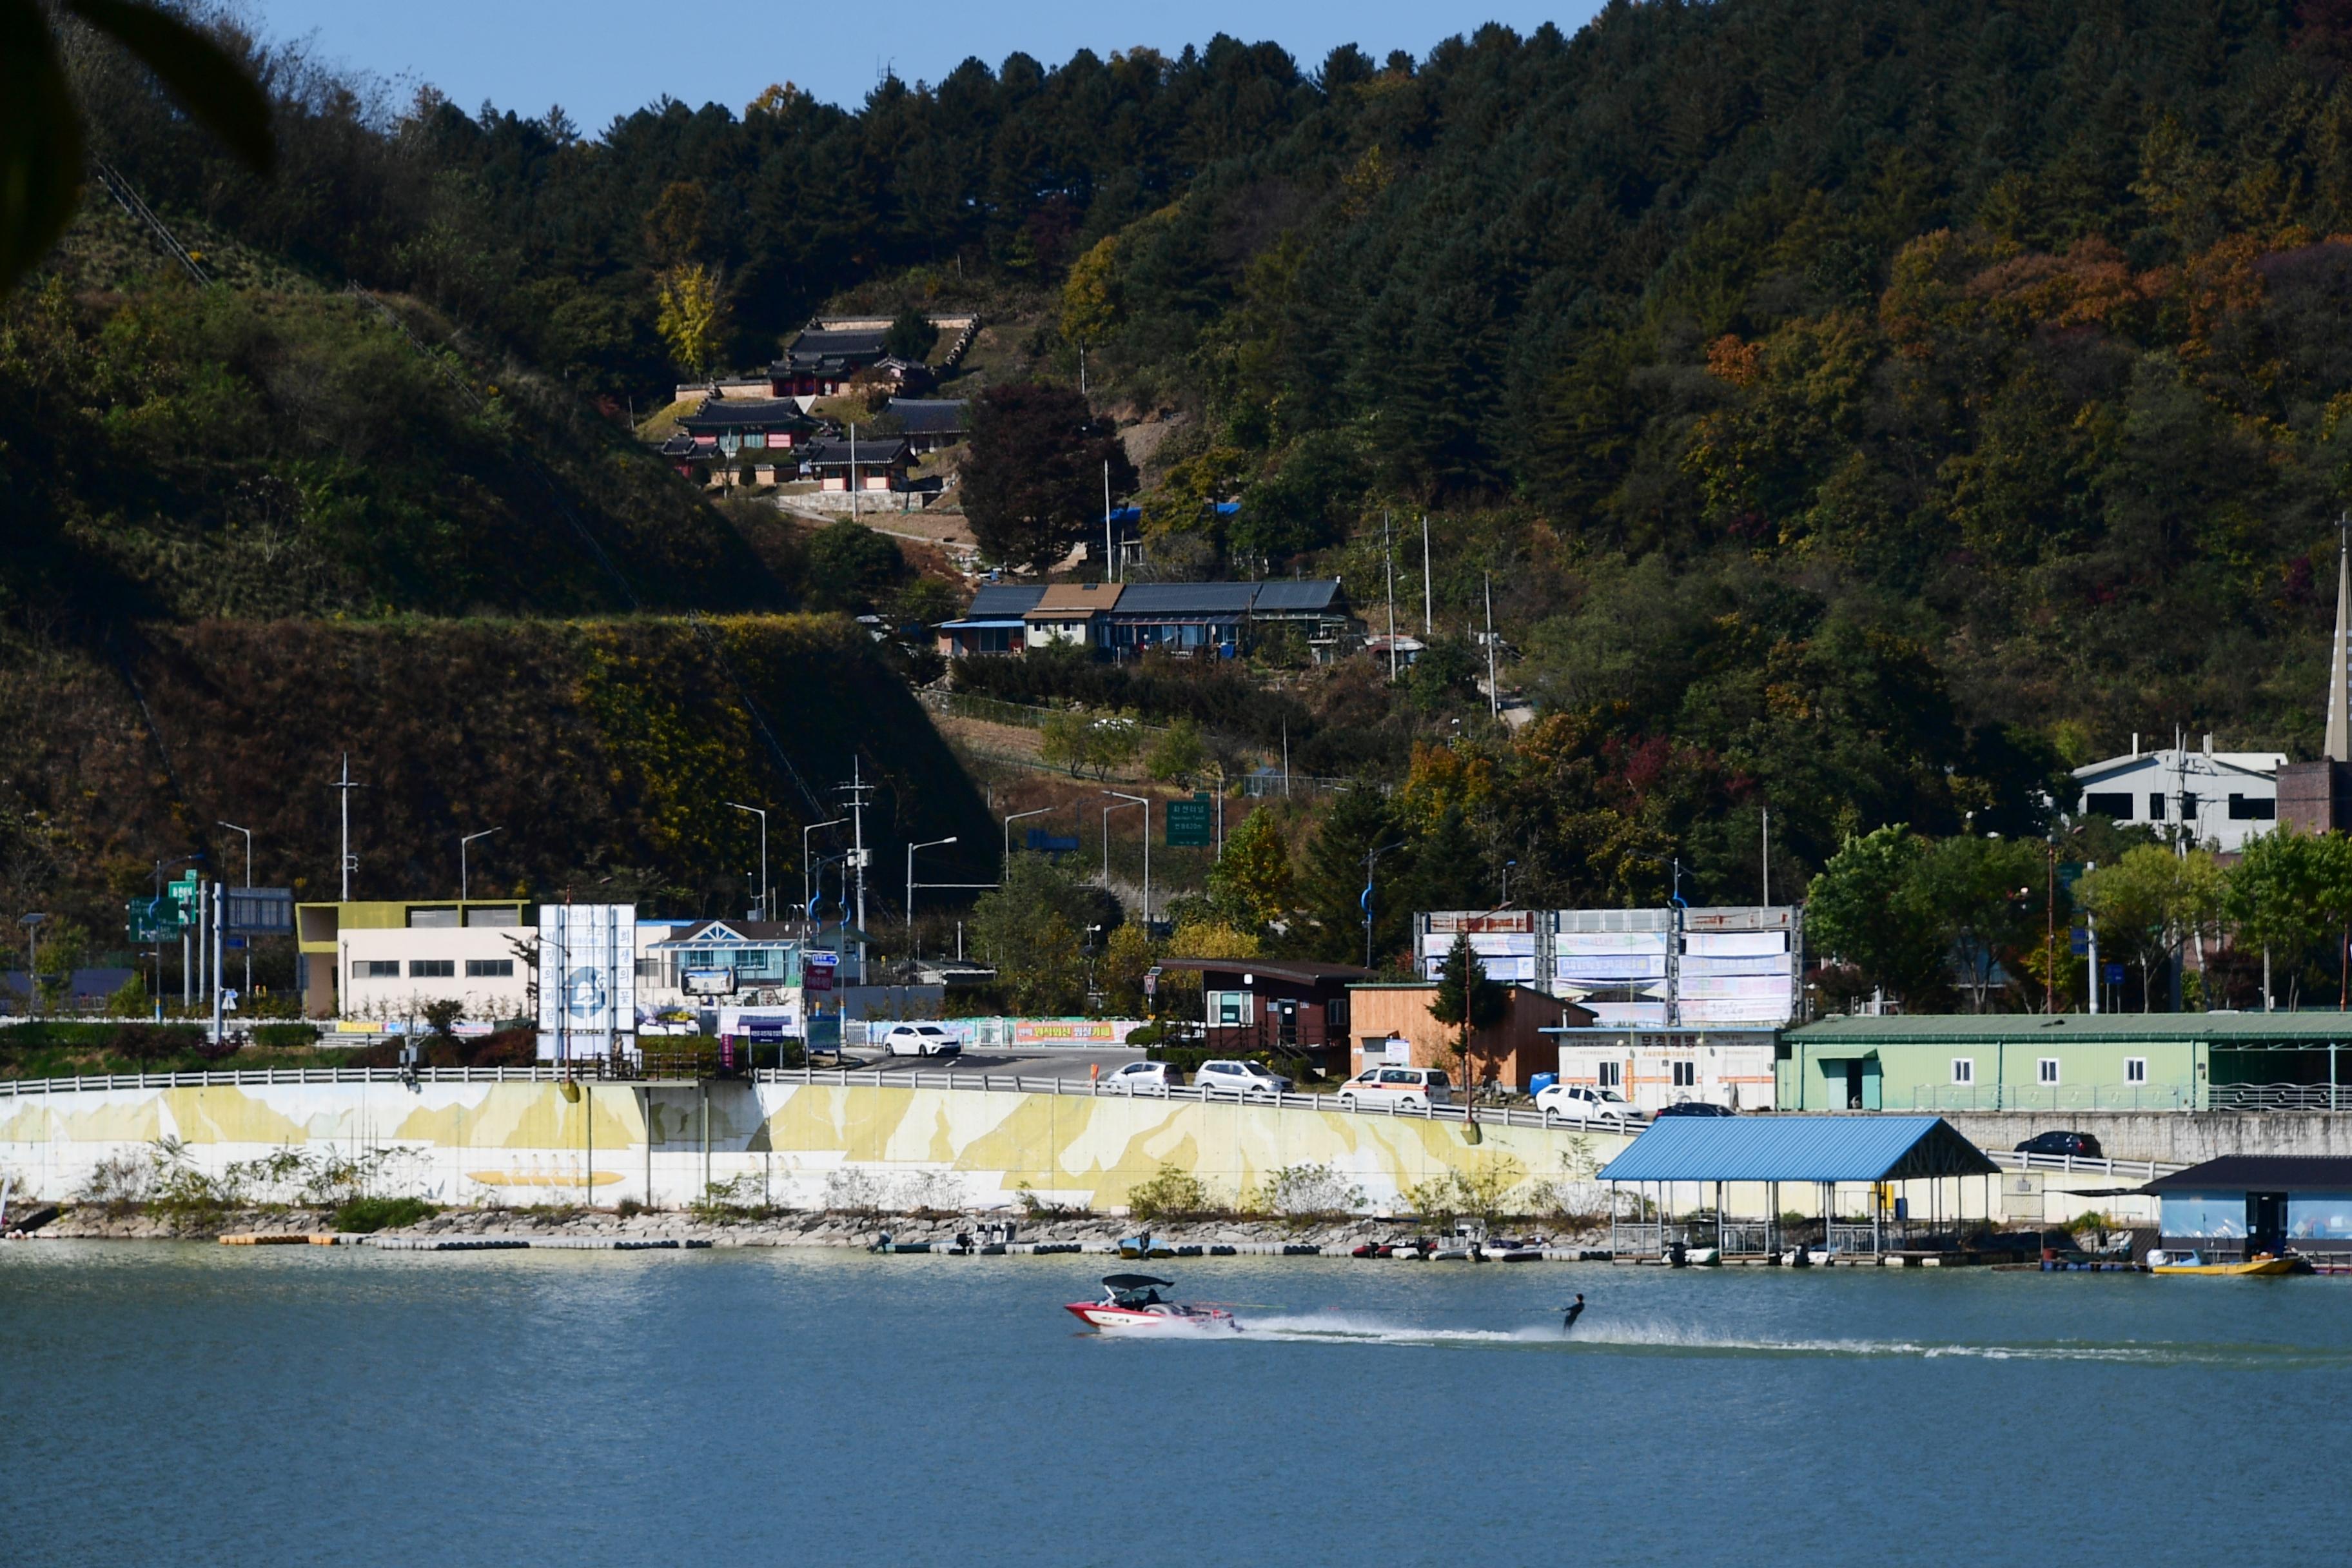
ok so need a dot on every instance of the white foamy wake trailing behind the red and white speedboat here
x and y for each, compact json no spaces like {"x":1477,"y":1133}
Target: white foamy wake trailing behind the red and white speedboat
{"x":1685,"y":1341}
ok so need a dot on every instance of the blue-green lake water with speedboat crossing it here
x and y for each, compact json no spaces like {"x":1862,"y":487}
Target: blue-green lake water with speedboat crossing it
{"x":201,"y":1405}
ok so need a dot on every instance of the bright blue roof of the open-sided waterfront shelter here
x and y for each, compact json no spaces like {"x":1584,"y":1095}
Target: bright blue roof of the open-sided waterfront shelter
{"x":1796,"y":1151}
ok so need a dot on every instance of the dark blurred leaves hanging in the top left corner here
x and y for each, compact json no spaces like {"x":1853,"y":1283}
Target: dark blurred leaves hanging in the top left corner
{"x":41,"y":130}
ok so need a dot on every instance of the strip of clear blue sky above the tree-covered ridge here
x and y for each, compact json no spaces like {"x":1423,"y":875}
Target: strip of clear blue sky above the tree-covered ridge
{"x":601,"y":58}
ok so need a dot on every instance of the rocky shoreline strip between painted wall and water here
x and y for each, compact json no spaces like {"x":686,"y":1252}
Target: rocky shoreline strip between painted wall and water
{"x":796,"y":1228}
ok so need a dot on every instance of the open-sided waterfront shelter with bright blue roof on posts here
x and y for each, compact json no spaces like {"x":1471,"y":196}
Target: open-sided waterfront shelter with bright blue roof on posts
{"x":1833,"y":1155}
